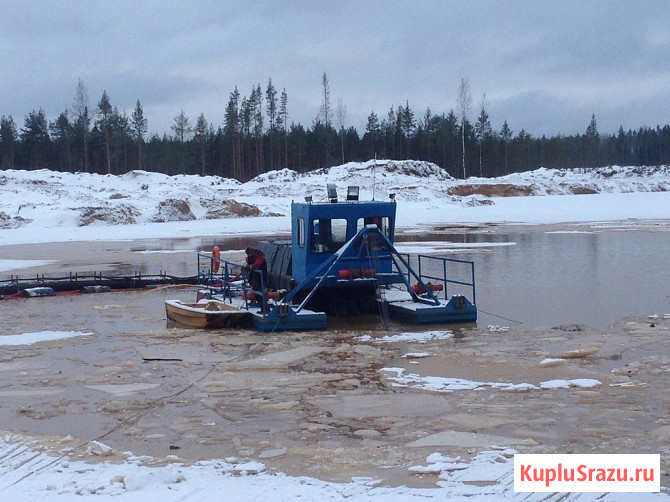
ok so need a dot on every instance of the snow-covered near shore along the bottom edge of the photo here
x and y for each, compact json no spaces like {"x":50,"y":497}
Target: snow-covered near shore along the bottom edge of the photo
{"x":27,"y":474}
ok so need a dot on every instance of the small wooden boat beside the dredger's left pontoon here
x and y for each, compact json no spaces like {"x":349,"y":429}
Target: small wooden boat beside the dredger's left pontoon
{"x":209,"y":314}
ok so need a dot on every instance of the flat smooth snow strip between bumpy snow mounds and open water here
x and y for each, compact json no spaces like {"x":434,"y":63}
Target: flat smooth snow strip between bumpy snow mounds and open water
{"x":649,"y":209}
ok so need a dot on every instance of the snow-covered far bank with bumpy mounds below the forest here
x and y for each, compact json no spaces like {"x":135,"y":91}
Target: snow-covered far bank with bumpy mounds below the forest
{"x":47,"y":206}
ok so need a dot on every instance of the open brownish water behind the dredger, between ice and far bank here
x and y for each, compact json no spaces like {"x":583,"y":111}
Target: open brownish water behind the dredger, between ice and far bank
{"x":530,"y":276}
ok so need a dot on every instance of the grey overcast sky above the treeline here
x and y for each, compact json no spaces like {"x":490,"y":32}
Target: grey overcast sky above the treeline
{"x":544,"y":66}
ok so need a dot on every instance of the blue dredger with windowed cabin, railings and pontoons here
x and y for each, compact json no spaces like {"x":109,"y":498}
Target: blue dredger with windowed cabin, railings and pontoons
{"x":340,"y":261}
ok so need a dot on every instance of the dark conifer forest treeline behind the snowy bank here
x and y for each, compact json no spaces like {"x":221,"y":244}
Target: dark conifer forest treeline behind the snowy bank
{"x":256,"y":135}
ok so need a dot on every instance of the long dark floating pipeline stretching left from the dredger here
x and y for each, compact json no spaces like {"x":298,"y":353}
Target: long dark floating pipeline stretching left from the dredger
{"x":17,"y":287}
